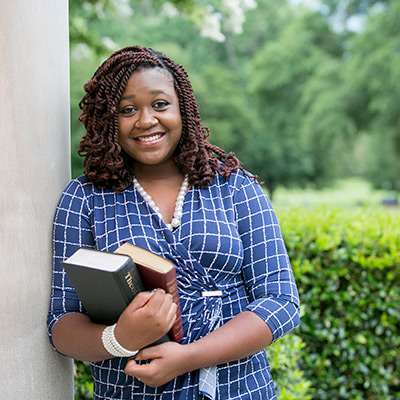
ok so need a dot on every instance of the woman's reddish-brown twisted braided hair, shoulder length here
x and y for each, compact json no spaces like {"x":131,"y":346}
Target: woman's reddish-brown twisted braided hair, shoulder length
{"x":105,"y":163}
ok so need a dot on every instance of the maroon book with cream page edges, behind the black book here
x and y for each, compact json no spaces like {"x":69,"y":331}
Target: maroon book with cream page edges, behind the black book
{"x":156,"y":272}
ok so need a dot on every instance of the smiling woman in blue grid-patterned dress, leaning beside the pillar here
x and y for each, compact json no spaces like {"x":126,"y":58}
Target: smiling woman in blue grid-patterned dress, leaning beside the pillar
{"x":152,"y":178}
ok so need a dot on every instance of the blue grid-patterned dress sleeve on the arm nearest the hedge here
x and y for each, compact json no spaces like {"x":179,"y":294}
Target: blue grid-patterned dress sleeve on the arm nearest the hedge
{"x":266,"y":267}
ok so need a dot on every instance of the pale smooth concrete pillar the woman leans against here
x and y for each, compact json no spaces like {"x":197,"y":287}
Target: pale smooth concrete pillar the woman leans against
{"x":34,"y":168}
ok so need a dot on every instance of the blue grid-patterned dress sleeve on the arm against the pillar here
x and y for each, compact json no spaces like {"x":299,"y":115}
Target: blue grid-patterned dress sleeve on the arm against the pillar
{"x":71,"y":230}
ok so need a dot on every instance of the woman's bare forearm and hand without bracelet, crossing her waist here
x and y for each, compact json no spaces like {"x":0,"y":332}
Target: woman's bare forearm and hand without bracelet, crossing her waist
{"x":242,"y":336}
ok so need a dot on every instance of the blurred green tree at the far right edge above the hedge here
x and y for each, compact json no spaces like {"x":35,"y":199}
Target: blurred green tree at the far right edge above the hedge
{"x":373,"y":80}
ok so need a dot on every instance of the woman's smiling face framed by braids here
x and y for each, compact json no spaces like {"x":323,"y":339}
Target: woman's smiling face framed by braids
{"x":150,"y":124}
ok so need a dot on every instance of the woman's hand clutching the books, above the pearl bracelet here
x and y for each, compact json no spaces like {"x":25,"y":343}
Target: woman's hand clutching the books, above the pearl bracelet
{"x":147,"y":318}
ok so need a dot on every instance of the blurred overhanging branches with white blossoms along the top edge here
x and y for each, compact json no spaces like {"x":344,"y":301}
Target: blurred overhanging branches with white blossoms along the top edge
{"x":211,"y":17}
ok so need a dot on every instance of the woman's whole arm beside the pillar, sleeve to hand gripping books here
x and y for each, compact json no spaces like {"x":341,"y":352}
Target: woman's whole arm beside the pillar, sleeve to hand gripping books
{"x":71,"y":332}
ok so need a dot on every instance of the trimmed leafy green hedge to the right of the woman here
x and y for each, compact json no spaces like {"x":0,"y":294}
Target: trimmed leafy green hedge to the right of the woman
{"x":347,"y":268}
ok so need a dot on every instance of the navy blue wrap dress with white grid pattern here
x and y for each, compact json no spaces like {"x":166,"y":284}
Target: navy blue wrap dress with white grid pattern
{"x":229,"y":240}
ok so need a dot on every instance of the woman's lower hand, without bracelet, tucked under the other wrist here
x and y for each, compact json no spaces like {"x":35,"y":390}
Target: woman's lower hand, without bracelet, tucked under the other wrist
{"x":166,"y":361}
